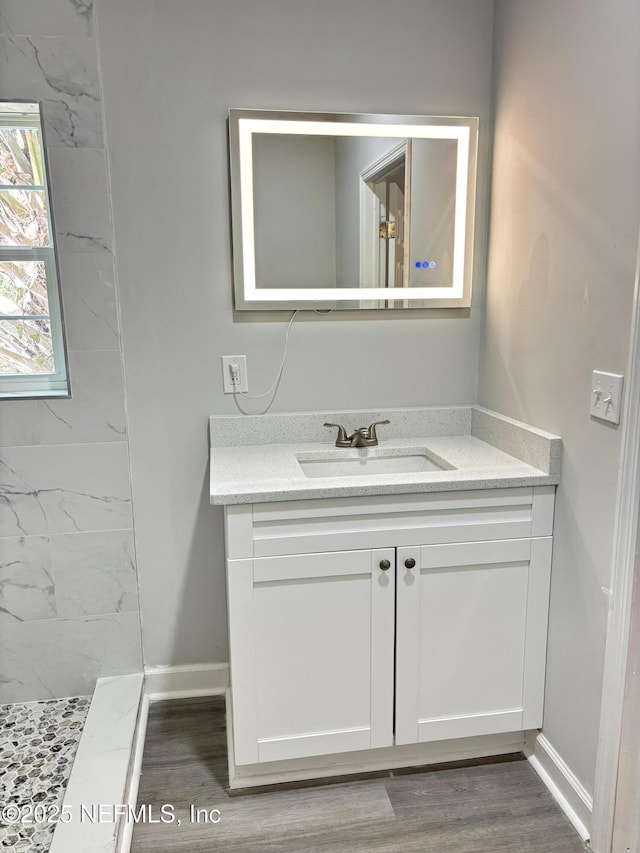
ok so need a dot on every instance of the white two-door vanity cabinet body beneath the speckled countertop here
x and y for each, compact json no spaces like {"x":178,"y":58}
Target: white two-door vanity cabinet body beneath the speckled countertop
{"x":367,"y":622}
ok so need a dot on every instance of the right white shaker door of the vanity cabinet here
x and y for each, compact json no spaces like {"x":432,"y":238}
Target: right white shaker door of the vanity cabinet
{"x":471,"y":638}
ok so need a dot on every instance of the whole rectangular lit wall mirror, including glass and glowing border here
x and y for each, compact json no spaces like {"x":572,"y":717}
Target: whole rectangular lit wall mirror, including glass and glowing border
{"x":351,"y":211}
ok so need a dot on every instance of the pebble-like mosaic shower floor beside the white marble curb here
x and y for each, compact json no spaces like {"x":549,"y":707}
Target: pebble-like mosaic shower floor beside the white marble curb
{"x":38,"y":743}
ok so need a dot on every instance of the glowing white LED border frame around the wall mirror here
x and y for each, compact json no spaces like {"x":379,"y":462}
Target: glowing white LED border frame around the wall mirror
{"x":243,"y":123}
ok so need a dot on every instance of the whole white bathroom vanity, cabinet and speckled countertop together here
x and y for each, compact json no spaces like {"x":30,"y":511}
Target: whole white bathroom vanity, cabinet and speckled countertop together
{"x":371,"y":611}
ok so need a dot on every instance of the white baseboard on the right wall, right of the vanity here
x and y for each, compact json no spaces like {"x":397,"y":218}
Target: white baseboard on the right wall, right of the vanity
{"x":562,"y":783}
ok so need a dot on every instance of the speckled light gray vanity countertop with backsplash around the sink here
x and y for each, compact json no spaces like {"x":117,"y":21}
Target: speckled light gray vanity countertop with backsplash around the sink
{"x":252,"y":462}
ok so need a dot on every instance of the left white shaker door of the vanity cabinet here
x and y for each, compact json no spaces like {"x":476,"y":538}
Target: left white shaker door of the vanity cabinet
{"x":311,"y":653}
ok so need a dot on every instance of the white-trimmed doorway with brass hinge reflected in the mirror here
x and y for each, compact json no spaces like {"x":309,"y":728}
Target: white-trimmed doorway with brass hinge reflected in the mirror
{"x":385,"y":199}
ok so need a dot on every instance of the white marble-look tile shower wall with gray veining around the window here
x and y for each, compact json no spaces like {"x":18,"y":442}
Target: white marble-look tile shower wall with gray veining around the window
{"x":68,"y":585}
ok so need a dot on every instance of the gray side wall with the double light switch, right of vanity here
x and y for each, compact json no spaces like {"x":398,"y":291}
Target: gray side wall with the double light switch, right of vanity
{"x":564,"y":230}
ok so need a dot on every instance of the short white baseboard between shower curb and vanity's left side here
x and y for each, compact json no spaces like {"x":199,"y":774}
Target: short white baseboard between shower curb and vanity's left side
{"x":185,"y":682}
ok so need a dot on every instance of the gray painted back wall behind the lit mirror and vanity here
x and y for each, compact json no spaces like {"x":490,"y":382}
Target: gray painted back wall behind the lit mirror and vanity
{"x":170,"y":72}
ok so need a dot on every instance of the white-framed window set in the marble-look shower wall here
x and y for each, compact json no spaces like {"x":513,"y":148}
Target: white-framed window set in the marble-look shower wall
{"x":32,"y":351}
